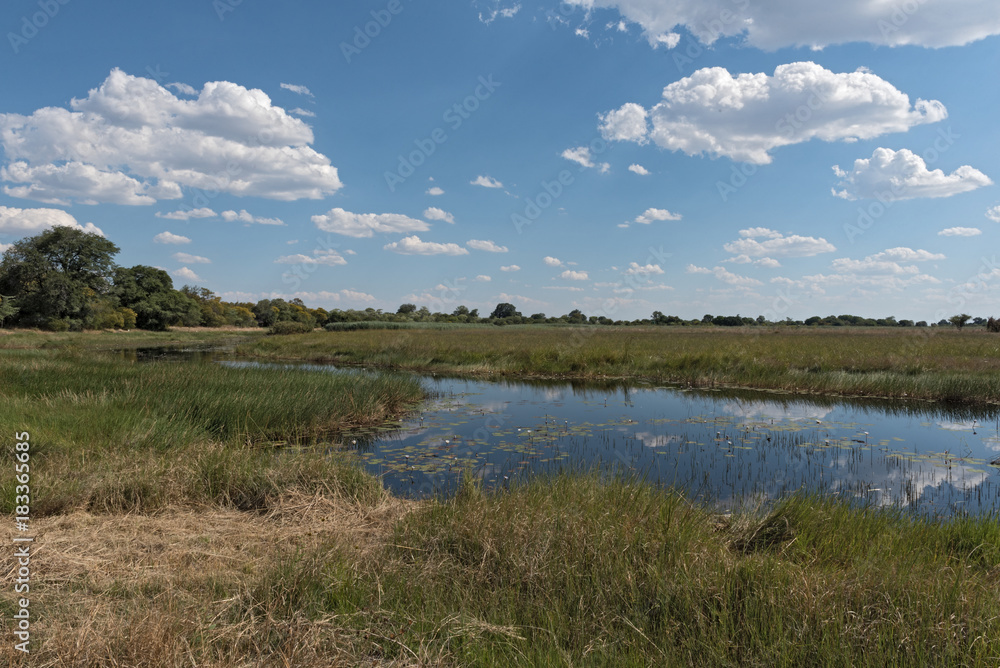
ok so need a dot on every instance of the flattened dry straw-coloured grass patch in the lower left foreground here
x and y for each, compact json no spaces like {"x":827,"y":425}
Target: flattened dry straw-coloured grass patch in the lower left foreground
{"x":172,"y":589}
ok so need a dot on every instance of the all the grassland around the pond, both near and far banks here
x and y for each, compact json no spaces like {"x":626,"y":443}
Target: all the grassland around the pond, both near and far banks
{"x":183,"y":516}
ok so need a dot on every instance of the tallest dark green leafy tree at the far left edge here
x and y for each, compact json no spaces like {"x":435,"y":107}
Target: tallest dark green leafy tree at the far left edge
{"x":56,"y":275}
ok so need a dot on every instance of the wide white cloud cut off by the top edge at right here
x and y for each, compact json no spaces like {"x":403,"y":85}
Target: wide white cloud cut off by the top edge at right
{"x":786,"y":23}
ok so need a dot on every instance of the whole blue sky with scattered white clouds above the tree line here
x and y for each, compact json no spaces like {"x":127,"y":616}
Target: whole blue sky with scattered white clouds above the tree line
{"x":617,"y":156}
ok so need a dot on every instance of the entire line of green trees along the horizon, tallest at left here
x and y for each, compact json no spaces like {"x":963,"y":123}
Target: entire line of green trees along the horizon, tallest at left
{"x":66,"y":279}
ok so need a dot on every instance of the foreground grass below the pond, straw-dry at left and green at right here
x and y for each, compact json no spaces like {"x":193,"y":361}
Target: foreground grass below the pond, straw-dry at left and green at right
{"x":569,"y":571}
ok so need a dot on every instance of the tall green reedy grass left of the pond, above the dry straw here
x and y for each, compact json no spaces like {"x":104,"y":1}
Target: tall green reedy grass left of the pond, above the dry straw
{"x":112,"y":435}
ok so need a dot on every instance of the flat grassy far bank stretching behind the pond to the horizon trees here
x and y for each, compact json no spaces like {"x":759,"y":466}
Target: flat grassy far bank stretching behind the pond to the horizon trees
{"x":921,"y":363}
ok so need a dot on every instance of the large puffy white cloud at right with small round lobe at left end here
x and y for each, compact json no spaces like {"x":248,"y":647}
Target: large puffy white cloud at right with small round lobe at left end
{"x":745,"y":117}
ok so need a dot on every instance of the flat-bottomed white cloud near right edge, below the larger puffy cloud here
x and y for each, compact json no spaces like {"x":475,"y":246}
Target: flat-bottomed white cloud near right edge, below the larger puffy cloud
{"x":897,"y":175}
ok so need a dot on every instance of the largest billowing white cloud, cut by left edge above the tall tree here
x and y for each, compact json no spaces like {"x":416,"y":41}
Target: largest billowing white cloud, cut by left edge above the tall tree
{"x":132,"y":141}
